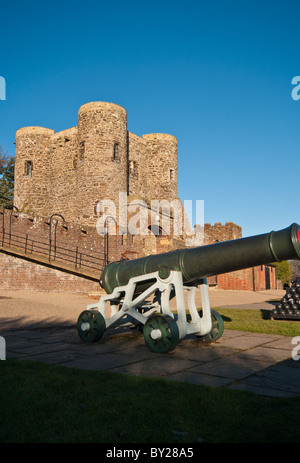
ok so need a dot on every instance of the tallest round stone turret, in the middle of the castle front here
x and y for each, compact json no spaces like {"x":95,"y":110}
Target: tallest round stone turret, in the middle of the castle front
{"x":102,"y":156}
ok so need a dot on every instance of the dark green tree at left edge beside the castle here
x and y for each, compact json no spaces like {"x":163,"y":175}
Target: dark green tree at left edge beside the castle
{"x":7,"y":166}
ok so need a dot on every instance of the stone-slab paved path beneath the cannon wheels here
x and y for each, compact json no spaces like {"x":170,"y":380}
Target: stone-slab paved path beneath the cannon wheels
{"x":249,"y":361}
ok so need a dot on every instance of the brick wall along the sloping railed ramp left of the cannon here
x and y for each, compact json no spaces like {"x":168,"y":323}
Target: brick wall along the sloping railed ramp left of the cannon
{"x":20,"y":273}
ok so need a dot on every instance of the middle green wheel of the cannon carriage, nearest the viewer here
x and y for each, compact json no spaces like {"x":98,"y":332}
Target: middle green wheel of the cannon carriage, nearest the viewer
{"x":161,"y":333}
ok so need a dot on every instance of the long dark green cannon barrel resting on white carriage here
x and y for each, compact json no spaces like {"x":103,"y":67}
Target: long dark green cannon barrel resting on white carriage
{"x":213,"y":259}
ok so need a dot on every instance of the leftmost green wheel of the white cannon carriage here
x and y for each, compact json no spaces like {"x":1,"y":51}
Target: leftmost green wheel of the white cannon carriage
{"x":90,"y":325}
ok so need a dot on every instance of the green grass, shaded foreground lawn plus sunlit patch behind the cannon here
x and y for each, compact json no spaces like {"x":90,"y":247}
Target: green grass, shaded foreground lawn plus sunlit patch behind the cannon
{"x":48,"y":403}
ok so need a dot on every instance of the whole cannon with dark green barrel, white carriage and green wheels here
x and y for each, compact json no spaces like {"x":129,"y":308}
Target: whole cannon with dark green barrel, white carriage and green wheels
{"x":139,"y":291}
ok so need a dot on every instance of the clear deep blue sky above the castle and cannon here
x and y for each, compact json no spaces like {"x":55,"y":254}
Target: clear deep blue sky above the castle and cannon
{"x":217,"y":75}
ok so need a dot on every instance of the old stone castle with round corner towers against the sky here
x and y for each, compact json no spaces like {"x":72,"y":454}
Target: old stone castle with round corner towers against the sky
{"x":70,"y":171}
